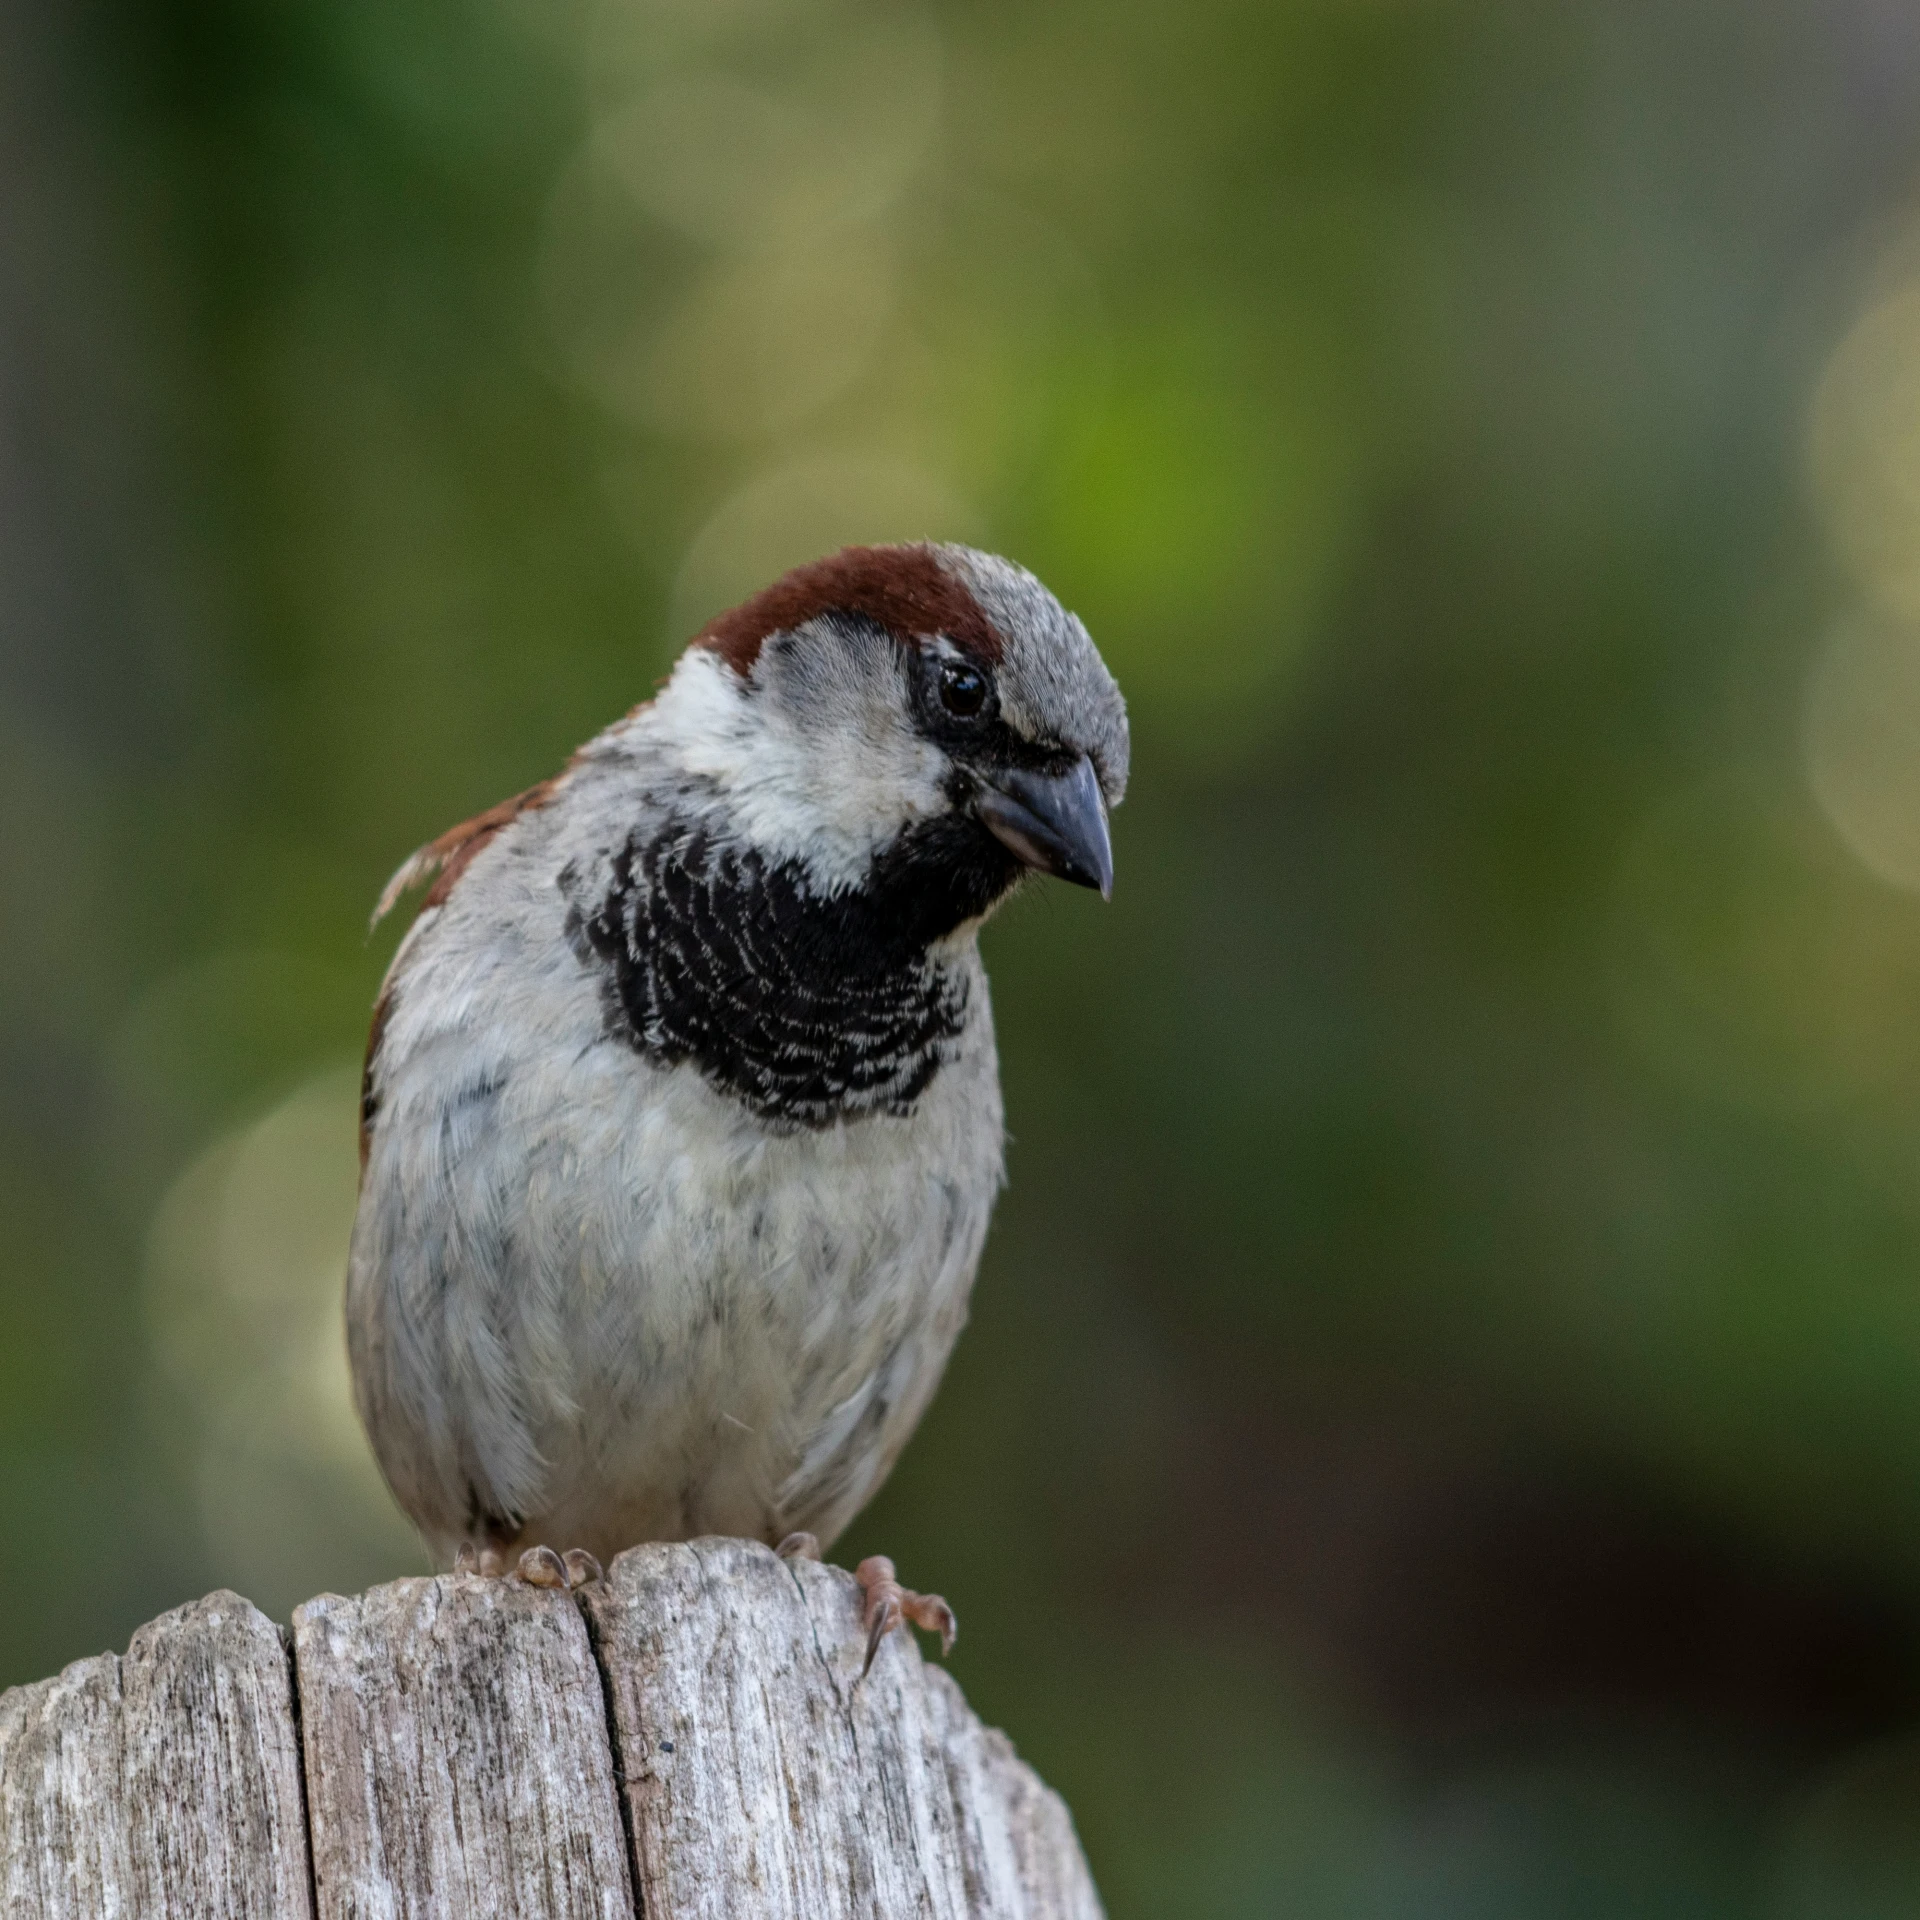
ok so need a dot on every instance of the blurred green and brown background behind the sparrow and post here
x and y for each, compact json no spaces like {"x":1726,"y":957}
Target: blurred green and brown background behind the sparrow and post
{"x":1441,"y":1426}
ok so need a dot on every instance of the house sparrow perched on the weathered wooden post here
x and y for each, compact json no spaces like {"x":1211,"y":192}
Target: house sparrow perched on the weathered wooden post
{"x":683,"y":1115}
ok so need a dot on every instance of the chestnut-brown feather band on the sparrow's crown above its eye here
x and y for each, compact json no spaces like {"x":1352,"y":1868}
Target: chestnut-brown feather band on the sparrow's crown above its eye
{"x":903,"y":588}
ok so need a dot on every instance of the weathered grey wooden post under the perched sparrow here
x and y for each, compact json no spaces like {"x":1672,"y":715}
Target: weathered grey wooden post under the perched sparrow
{"x":683,"y":1742}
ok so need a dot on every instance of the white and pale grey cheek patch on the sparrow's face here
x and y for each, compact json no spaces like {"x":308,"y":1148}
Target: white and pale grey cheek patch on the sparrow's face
{"x":819,"y":757}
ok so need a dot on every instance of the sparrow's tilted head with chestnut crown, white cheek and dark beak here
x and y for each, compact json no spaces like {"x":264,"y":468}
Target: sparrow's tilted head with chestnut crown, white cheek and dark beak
{"x":923,"y":709}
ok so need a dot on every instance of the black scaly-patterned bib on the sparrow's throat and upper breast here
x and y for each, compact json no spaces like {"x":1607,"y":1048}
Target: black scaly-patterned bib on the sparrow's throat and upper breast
{"x":807,"y":1007}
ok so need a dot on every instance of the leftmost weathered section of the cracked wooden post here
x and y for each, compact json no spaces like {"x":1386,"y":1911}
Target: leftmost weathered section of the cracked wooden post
{"x":158,"y":1785}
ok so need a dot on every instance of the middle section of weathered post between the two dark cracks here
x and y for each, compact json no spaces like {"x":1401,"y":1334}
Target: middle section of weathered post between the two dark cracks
{"x":458,"y":1756}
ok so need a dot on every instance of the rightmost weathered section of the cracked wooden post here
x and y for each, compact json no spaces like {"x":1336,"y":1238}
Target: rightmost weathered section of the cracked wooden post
{"x":765,"y":1785}
